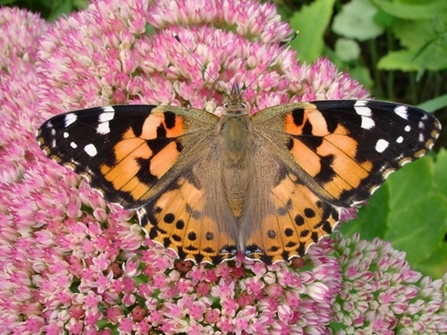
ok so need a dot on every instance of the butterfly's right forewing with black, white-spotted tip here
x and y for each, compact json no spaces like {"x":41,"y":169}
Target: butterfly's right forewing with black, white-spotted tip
{"x":344,"y":150}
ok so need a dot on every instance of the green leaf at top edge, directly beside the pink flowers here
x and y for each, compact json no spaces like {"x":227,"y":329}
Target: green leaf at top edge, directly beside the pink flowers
{"x":311,"y":22}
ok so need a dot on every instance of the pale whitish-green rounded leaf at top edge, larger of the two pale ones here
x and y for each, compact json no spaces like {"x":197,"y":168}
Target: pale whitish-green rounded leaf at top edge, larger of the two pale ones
{"x":356,"y":20}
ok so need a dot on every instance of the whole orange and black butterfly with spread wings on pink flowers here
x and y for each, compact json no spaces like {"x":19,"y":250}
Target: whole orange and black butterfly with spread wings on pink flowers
{"x":269,"y":185}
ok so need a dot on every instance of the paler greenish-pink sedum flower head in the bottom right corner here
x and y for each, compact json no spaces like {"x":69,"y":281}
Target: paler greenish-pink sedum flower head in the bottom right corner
{"x":380,"y":293}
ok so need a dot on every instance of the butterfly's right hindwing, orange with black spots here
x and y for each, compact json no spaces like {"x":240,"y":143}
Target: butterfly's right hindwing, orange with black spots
{"x":287,"y":217}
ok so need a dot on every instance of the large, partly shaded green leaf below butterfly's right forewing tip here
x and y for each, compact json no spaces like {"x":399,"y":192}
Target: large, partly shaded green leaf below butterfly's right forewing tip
{"x":410,"y":210}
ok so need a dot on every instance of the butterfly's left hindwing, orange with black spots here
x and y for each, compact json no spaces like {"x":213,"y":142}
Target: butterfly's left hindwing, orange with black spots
{"x":191,"y":216}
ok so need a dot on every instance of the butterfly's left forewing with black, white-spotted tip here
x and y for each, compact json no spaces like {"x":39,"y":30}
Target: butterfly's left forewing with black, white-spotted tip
{"x":129,"y":153}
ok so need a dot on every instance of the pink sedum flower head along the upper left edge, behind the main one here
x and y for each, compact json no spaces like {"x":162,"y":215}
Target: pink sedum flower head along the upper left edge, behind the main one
{"x":18,"y":89}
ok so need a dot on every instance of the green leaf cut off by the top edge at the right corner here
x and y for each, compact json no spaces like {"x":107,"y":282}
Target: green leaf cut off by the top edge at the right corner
{"x":424,"y":10}
